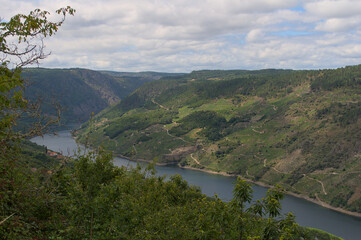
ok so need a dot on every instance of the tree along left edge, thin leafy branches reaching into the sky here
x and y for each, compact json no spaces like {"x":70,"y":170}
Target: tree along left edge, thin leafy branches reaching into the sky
{"x":21,"y":44}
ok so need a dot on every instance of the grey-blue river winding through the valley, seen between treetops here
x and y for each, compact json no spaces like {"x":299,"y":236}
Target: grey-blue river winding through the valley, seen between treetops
{"x":307,"y":214}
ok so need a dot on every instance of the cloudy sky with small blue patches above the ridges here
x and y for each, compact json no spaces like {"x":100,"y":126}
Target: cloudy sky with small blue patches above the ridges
{"x":187,"y":35}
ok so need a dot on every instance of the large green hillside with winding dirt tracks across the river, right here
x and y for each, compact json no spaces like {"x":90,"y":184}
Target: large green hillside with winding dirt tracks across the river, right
{"x":300,"y":129}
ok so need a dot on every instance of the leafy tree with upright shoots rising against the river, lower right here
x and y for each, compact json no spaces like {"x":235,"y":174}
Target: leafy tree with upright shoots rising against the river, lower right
{"x":262,"y":220}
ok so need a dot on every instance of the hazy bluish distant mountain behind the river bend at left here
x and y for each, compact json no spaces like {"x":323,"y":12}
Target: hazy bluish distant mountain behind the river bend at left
{"x":81,"y":92}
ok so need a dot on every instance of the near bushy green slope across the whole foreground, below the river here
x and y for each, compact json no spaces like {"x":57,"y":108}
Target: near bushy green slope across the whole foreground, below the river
{"x":44,"y":195}
